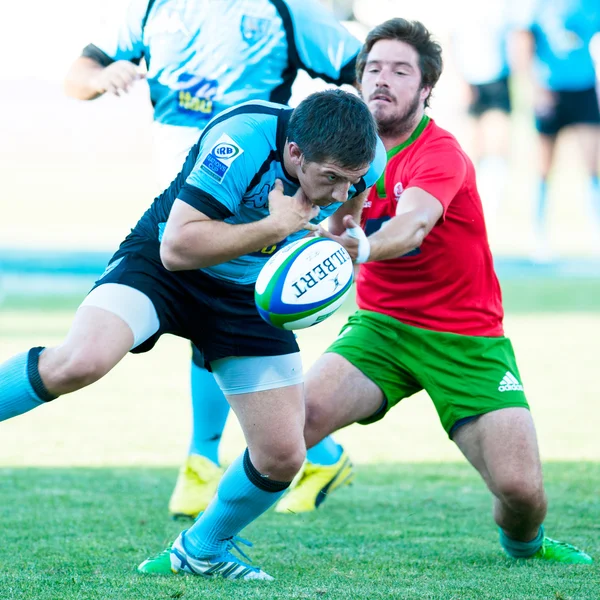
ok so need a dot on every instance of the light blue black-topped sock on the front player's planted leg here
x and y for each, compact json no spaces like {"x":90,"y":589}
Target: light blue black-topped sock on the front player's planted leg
{"x":239,"y":501}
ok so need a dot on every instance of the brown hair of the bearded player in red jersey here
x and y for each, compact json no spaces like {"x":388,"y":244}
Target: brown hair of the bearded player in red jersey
{"x":416,"y":35}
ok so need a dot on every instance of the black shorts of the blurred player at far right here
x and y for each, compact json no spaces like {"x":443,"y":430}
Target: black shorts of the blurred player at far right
{"x":570,"y":108}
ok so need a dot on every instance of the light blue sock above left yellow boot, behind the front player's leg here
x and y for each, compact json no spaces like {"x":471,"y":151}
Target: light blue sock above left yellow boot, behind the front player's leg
{"x":209,"y":414}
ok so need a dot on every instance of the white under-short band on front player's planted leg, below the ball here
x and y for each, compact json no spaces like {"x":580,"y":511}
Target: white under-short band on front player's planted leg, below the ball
{"x":246,"y":374}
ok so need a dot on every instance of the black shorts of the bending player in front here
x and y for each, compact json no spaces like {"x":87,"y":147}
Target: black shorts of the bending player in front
{"x":217,"y":316}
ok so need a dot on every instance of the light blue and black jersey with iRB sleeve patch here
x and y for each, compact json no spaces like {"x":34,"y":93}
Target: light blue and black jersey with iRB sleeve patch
{"x":228,"y":176}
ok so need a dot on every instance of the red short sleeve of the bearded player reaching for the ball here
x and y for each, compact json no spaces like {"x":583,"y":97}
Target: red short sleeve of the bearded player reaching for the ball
{"x":439,"y":169}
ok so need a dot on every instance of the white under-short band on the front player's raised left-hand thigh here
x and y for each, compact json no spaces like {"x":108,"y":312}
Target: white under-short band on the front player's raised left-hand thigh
{"x":131,"y":305}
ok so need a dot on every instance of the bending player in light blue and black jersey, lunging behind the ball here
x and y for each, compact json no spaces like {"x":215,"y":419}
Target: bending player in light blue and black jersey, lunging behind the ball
{"x":259,"y":176}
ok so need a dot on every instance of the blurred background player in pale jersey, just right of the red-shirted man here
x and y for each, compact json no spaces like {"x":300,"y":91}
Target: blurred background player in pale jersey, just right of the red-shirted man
{"x":480,"y":55}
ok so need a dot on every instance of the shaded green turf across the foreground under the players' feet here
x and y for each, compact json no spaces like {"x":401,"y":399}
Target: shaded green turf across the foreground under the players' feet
{"x":402,"y":531}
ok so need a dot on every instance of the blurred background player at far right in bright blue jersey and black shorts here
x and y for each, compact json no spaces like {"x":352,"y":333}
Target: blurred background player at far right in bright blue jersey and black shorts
{"x":553,"y":44}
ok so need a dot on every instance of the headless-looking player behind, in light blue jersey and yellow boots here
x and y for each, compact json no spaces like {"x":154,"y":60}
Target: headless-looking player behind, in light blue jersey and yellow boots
{"x":200,"y":59}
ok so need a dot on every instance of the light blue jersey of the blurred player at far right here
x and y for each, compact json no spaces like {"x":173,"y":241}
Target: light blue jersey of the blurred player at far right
{"x":563,"y":30}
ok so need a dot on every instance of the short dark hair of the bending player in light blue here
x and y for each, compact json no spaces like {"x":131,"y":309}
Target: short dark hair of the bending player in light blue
{"x":334,"y":126}
